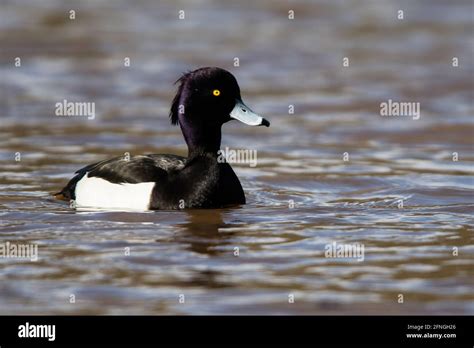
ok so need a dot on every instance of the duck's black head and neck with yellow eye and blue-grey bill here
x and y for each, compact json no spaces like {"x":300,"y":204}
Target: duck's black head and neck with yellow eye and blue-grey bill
{"x":206,"y":99}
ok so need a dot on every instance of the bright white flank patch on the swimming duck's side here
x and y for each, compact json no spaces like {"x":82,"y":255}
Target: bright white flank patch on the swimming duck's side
{"x":99,"y":193}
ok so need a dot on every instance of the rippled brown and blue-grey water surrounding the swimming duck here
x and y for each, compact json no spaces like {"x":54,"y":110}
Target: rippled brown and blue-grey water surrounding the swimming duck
{"x":408,"y":250}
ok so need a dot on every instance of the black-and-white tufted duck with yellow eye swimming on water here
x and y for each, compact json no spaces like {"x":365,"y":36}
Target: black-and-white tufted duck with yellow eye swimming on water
{"x":206,"y":99}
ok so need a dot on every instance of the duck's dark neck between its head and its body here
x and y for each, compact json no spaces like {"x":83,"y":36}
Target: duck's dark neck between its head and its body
{"x":202,"y":139}
